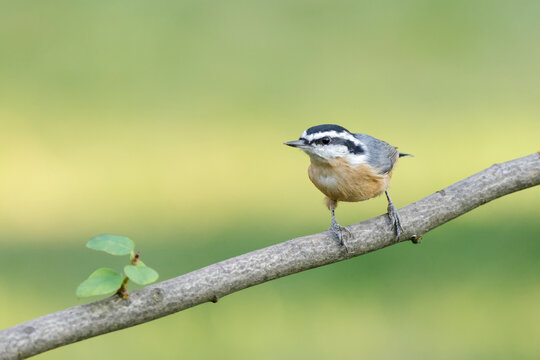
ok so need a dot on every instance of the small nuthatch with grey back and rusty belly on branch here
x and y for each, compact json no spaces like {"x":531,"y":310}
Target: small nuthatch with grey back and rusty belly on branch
{"x":349,"y":167}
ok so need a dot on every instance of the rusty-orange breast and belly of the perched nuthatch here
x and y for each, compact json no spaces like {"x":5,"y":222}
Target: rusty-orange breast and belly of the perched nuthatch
{"x":340,"y":181}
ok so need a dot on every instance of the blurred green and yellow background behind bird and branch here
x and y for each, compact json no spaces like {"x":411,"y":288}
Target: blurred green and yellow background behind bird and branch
{"x":164,"y":121}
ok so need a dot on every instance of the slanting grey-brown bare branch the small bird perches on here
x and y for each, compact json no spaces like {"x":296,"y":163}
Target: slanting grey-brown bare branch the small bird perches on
{"x":215,"y":281}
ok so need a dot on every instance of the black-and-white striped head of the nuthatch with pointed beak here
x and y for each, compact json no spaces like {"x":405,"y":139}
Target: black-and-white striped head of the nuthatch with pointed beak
{"x":326,"y":142}
